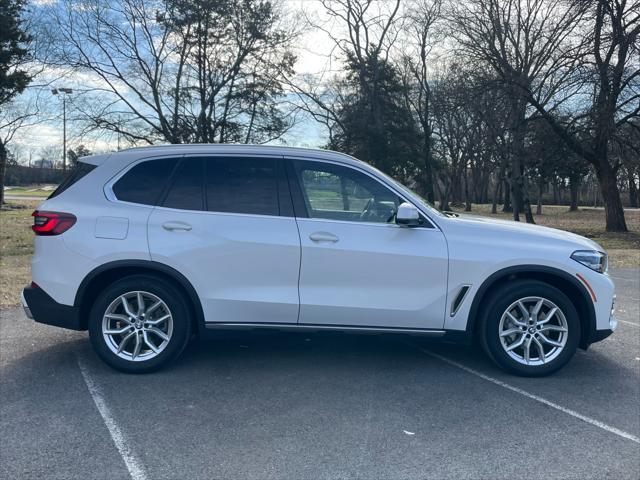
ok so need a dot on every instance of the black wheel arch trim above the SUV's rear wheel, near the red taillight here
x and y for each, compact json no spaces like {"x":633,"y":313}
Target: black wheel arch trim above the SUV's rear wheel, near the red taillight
{"x":108,"y":273}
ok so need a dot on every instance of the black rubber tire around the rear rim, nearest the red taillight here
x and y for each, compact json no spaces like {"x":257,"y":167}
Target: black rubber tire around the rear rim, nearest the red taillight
{"x":164,"y":290}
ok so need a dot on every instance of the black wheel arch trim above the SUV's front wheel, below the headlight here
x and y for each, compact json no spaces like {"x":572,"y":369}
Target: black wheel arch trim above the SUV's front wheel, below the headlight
{"x":560,"y":279}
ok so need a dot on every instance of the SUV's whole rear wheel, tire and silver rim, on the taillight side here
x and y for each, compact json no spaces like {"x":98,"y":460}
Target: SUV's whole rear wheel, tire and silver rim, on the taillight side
{"x":139,"y":324}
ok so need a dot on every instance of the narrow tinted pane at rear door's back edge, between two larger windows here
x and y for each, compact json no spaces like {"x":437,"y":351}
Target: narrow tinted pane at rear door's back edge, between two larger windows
{"x":186,"y":188}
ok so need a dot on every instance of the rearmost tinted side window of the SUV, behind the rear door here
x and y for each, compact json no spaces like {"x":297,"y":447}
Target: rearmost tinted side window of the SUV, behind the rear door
{"x":145,"y":182}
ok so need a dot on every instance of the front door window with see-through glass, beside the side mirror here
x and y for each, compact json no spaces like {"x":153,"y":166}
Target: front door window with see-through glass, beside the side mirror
{"x":341,"y":193}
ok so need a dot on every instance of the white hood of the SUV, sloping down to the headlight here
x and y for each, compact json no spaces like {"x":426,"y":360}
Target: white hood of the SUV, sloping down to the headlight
{"x":532,"y":232}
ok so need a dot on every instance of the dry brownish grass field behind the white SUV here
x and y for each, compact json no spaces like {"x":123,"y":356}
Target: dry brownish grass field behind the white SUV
{"x":16,"y":239}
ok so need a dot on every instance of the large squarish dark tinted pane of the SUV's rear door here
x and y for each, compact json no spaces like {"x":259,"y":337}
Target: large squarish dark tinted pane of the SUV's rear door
{"x":242,"y":185}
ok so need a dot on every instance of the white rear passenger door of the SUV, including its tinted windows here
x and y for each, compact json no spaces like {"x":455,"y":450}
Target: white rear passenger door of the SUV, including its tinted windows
{"x":226,"y":223}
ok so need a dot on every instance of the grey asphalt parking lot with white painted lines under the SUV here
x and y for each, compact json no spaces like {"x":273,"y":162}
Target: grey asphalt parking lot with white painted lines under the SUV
{"x":316,"y":406}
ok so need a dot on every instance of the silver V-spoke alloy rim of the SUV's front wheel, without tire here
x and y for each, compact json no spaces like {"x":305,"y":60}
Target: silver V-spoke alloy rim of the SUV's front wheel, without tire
{"x":533,"y":331}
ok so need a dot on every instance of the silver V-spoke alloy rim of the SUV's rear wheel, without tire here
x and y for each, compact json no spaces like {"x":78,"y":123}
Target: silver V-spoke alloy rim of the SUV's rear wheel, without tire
{"x":137,"y":326}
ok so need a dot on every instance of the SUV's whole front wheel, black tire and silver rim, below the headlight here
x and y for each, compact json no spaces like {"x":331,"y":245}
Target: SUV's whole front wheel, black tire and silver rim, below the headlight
{"x":530,"y":328}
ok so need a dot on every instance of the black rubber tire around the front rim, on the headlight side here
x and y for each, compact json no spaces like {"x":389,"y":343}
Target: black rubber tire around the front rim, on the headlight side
{"x":496,"y":305}
